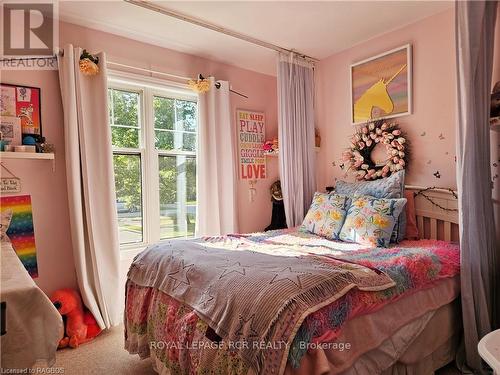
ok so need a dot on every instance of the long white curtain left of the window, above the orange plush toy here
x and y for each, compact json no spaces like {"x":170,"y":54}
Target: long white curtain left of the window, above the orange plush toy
{"x":91,"y":186}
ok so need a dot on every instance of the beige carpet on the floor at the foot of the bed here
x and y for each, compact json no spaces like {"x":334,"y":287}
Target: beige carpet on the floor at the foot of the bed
{"x":105,"y":355}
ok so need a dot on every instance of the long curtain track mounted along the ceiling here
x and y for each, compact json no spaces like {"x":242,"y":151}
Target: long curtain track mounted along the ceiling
{"x":196,"y":21}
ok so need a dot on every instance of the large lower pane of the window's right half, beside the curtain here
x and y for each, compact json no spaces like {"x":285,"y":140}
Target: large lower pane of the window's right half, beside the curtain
{"x":177,"y":196}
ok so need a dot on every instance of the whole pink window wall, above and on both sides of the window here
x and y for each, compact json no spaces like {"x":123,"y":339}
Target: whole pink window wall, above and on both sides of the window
{"x":48,"y":189}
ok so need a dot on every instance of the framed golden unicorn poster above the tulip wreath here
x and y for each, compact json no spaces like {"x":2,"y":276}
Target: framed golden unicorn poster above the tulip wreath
{"x":381,"y":86}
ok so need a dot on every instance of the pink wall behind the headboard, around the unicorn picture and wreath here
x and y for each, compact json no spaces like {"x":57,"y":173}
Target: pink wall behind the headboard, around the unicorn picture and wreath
{"x":433,"y":101}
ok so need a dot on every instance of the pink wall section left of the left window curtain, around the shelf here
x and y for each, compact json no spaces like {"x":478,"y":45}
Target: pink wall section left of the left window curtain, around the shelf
{"x":47,"y":188}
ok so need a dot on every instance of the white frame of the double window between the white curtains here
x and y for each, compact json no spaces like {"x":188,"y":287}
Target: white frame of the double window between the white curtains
{"x":148,"y":88}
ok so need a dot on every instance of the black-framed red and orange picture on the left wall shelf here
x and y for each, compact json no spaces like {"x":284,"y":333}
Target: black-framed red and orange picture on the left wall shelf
{"x":23,"y":102}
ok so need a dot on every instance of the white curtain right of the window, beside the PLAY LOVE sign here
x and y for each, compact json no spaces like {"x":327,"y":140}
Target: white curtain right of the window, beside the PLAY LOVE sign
{"x":217,"y":176}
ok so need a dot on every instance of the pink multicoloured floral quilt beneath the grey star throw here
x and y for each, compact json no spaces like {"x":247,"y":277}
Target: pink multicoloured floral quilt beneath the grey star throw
{"x":172,"y":332}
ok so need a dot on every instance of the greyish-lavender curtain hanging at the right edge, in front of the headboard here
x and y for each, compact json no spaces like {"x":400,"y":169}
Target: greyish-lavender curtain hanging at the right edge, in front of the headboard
{"x":480,"y":257}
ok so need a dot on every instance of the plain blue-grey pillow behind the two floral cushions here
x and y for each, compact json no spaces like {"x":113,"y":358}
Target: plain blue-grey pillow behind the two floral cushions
{"x":389,"y":187}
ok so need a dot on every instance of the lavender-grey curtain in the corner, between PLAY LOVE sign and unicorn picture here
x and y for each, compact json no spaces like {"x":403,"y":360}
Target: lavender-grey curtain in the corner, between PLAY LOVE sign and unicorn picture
{"x":296,"y":135}
